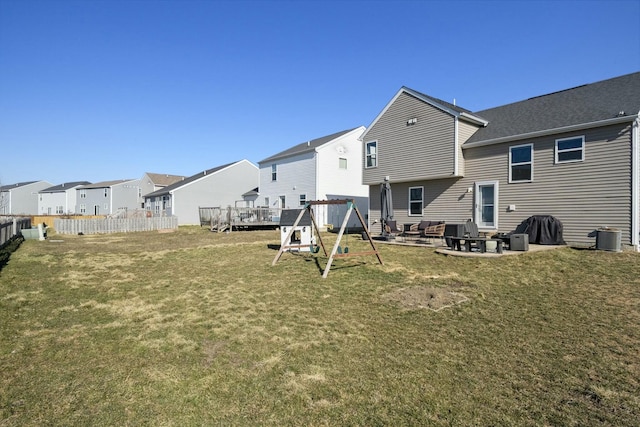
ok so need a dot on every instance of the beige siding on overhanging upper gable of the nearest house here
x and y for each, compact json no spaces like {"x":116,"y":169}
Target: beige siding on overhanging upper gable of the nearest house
{"x":407,"y":153}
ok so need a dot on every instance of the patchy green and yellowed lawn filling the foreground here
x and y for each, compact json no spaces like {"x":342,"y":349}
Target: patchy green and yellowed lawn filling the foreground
{"x":197,"y":328}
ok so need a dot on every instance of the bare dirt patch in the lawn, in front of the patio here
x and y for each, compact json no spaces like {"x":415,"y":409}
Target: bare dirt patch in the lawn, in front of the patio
{"x":418,"y":297}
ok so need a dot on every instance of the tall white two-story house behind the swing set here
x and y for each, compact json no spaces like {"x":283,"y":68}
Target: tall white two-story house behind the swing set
{"x":321,"y":169}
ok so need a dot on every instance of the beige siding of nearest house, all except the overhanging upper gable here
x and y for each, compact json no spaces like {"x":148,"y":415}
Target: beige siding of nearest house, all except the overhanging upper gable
{"x":583,"y":195}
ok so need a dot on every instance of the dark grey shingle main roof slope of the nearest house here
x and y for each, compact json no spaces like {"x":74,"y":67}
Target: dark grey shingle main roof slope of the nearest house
{"x":588,"y":103}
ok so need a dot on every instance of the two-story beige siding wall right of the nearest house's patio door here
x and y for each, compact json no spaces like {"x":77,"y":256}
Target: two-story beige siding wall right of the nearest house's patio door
{"x":583,"y":195}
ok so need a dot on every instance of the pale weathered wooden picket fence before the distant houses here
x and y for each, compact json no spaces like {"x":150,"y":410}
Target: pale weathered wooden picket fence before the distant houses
{"x":114,"y":225}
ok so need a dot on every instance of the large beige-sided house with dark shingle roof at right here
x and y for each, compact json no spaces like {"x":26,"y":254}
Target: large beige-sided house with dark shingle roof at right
{"x":573,"y":154}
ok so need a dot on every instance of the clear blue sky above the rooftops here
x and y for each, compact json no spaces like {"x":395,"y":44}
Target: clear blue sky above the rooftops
{"x":101,"y":90}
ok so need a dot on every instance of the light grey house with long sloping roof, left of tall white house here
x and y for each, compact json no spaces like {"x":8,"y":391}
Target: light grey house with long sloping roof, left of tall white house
{"x":222,"y":186}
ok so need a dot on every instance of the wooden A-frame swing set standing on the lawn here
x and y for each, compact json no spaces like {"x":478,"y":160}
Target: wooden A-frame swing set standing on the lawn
{"x":337,"y":251}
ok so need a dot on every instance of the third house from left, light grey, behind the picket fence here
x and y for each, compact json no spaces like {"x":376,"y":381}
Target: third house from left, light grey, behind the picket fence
{"x":107,"y":197}
